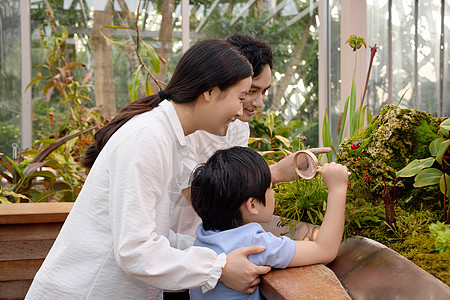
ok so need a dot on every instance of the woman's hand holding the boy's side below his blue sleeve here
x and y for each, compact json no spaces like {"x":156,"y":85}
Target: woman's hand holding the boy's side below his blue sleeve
{"x":239,"y":273}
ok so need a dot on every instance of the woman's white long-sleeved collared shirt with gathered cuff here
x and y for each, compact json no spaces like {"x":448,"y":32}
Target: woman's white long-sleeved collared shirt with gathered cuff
{"x":116,"y":242}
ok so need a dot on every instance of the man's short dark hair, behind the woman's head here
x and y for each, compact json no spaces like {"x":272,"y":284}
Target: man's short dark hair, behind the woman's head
{"x":256,"y":51}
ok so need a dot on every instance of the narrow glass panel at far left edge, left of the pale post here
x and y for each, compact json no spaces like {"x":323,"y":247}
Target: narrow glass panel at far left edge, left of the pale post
{"x":10,"y":76}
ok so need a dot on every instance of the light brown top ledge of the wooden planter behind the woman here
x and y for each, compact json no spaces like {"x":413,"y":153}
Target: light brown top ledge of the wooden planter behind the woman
{"x":18,"y":213}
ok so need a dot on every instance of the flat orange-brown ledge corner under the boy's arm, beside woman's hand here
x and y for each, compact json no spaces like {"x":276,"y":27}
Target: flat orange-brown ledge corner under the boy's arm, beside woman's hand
{"x":310,"y":282}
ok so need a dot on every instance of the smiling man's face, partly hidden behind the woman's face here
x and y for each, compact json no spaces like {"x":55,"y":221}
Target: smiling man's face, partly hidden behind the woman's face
{"x":256,"y":95}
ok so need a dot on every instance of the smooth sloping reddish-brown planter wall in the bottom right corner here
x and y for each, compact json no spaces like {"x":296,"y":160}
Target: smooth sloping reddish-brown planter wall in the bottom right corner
{"x":369,"y":270}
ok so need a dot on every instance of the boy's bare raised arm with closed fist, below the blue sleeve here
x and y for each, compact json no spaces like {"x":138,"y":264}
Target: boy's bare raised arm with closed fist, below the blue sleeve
{"x":326,"y":245}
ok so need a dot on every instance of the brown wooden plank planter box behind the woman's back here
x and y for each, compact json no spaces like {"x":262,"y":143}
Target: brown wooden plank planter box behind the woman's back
{"x":27,"y":232}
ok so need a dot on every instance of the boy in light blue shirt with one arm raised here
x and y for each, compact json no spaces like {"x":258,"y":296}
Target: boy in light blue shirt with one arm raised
{"x":233,"y":190}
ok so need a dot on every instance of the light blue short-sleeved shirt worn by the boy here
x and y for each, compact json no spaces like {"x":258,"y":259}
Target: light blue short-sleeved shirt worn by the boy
{"x":278,"y":254}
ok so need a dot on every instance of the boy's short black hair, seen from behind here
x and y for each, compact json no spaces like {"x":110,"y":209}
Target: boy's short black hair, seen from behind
{"x":221,"y":185}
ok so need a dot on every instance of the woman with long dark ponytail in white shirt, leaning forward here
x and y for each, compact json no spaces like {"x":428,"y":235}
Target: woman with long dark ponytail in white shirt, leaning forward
{"x":116,"y":242}
